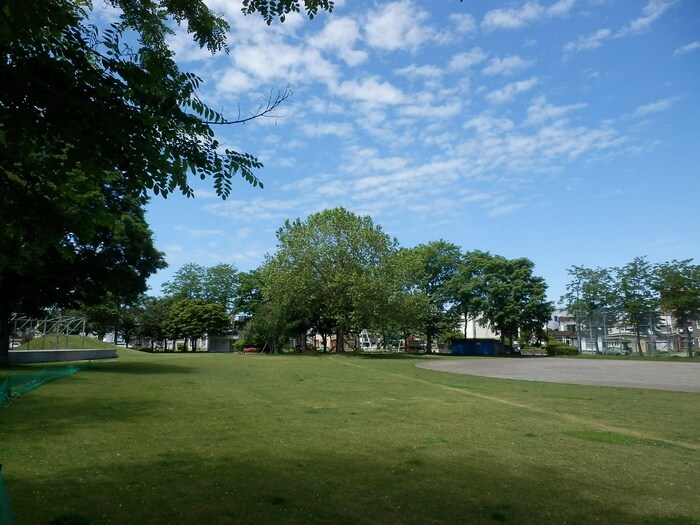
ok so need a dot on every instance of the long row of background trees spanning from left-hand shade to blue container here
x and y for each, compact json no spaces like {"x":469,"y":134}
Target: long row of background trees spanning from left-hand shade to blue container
{"x":335,"y":274}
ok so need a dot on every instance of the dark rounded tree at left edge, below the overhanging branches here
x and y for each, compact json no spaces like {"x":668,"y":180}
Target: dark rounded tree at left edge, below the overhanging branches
{"x":72,"y":259}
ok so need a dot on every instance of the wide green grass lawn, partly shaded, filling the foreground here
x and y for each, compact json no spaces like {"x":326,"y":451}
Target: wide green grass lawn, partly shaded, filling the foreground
{"x":209,"y":439}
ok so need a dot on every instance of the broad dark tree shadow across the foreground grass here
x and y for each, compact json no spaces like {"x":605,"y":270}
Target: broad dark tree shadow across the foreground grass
{"x":265,"y":486}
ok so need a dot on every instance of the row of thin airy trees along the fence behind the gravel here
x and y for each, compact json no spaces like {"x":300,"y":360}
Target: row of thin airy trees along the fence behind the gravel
{"x":636,"y":295}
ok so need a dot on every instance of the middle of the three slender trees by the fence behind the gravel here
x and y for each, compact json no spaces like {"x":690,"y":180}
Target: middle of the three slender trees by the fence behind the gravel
{"x":637,"y":299}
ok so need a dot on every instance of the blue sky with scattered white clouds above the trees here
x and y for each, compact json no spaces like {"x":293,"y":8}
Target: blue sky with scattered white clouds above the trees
{"x":565,"y":132}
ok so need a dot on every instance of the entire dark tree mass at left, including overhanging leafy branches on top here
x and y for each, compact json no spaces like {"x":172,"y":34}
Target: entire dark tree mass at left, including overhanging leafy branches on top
{"x":90,"y":116}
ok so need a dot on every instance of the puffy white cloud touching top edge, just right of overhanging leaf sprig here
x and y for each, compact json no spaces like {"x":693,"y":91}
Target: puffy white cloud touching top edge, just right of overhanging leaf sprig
{"x":398,"y":25}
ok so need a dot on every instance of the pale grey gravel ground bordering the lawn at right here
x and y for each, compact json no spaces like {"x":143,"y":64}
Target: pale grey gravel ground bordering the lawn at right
{"x":679,"y":376}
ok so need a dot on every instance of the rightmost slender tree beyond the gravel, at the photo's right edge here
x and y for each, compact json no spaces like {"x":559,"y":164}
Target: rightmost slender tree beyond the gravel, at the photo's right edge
{"x":678,"y":286}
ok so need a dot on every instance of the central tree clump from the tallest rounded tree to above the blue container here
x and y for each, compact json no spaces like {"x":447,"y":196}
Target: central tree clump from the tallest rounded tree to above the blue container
{"x":338,"y":273}
